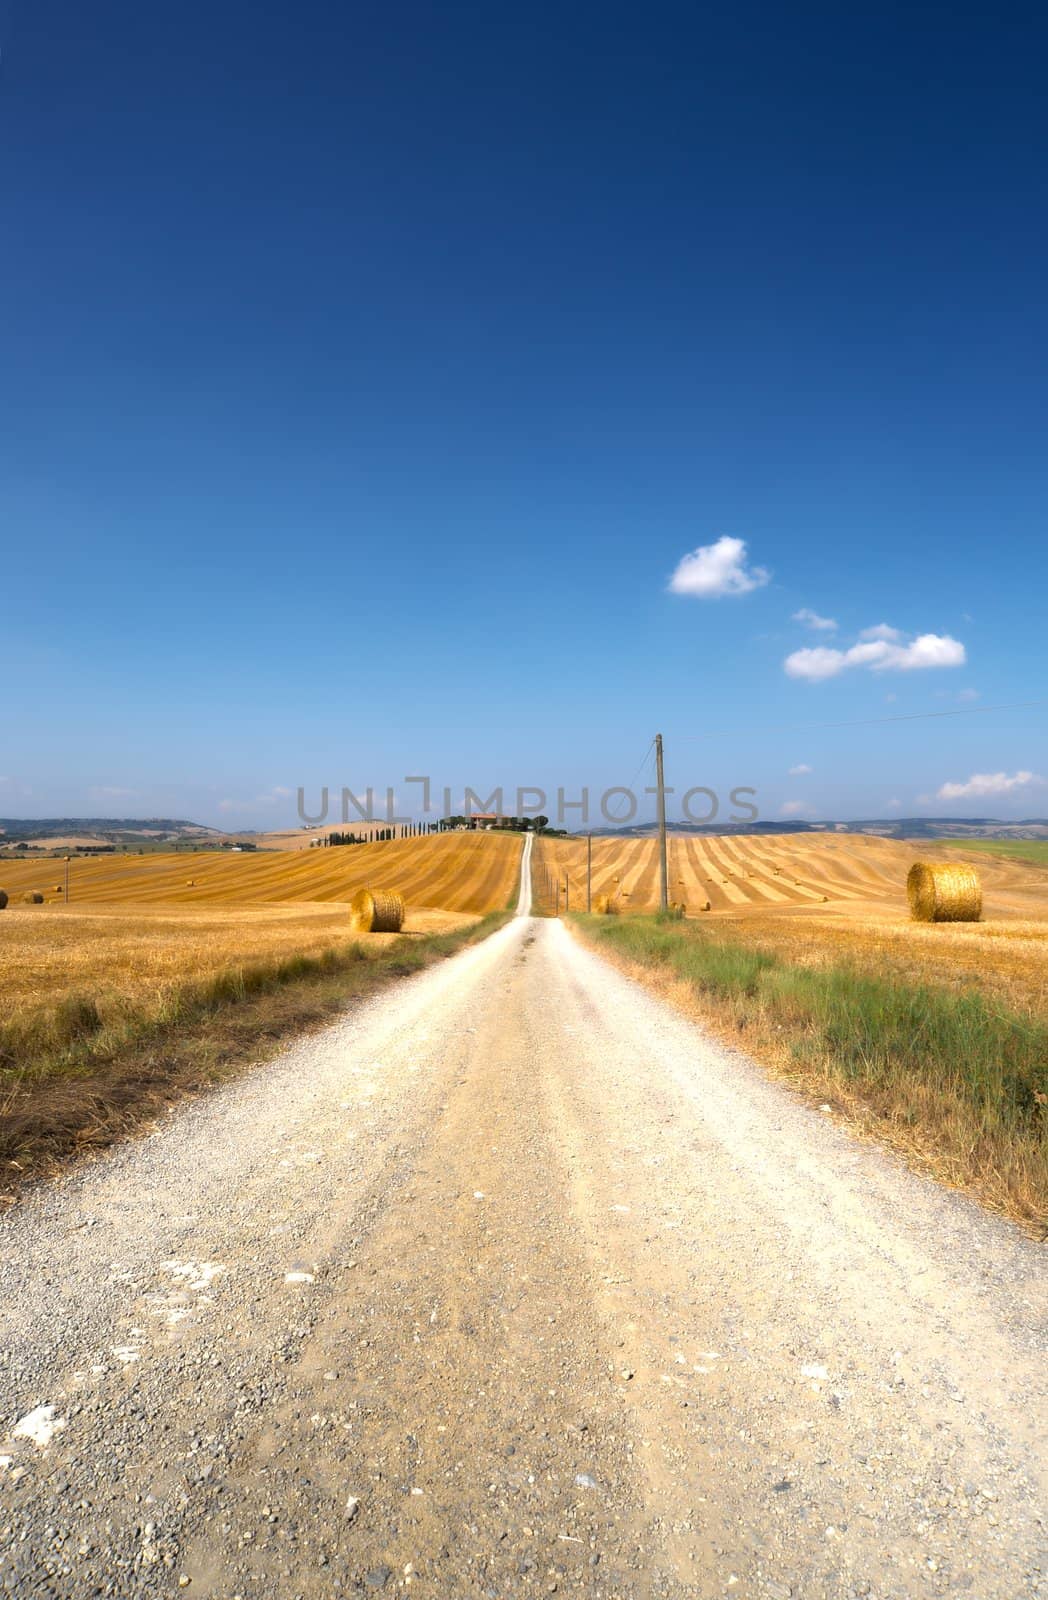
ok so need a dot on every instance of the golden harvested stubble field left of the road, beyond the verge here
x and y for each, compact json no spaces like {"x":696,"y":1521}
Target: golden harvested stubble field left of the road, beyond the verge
{"x":137,"y":927}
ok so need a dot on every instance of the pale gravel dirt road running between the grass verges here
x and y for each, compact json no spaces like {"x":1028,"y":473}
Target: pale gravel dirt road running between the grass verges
{"x":516,"y":1284}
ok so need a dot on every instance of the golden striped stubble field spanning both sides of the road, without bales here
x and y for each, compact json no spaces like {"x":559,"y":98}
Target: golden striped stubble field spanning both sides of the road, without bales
{"x":142,"y":924}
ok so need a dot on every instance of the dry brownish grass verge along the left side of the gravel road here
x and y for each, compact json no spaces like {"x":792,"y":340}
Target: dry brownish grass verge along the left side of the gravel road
{"x":81,"y":1076}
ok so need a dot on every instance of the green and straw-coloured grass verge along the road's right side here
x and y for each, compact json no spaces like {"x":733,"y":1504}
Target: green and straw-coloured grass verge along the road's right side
{"x":953,"y":1079}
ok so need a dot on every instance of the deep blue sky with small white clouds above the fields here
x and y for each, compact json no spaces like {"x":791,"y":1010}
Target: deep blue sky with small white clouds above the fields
{"x":369,"y":374}
